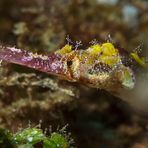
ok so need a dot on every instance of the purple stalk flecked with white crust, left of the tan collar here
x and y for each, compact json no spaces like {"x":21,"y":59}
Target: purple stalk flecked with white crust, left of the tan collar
{"x":52,"y":63}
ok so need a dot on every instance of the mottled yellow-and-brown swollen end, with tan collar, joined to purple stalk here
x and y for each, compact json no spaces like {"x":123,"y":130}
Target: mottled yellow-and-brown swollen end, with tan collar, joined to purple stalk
{"x":100,"y":66}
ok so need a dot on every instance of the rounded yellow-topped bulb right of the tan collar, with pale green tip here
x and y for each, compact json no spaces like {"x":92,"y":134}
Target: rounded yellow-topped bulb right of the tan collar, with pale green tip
{"x":102,"y":67}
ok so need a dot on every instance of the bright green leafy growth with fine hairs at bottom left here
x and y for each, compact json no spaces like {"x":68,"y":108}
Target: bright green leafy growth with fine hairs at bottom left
{"x":31,"y":136}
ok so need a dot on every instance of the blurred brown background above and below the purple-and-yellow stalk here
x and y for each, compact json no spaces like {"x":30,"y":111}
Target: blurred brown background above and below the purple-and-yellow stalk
{"x":95,"y":118}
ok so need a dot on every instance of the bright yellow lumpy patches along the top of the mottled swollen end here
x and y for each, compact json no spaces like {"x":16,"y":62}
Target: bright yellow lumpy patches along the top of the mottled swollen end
{"x":105,"y":53}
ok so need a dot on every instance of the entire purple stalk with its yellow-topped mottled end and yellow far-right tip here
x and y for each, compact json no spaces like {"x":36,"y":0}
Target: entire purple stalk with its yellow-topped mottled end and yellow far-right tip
{"x":100,"y":66}
